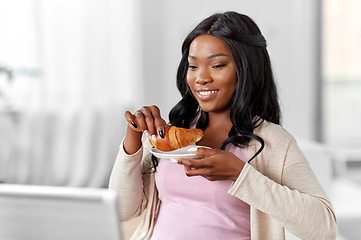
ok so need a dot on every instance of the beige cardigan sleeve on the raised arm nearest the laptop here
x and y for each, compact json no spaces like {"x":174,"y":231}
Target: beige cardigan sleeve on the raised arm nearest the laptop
{"x":129,"y":182}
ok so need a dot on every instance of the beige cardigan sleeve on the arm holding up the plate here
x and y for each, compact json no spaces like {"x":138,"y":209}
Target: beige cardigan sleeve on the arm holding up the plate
{"x":298,"y":202}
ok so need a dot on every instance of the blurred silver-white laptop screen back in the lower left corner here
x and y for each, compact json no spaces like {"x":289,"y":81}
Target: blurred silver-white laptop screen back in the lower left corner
{"x":30,"y":212}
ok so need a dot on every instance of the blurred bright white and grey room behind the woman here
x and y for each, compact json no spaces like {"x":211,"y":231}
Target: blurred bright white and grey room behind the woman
{"x":69,"y":69}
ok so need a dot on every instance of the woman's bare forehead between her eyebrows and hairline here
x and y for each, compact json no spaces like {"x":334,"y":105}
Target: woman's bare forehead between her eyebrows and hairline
{"x":205,"y":45}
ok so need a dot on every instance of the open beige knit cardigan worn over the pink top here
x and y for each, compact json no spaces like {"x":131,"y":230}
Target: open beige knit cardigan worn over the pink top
{"x":278,"y":184}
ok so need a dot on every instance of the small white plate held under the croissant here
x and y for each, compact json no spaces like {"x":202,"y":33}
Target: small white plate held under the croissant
{"x":179,"y":153}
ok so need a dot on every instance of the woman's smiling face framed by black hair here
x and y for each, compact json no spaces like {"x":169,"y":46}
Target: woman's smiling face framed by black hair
{"x":211,"y":75}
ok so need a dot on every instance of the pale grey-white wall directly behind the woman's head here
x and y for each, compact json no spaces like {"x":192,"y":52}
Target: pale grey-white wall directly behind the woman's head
{"x":288,"y":26}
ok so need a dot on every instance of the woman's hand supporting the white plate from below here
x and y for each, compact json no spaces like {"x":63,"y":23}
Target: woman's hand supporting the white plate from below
{"x":216,"y":165}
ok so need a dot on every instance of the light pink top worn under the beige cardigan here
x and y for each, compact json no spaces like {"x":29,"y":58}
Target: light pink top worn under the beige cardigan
{"x":196,"y":208}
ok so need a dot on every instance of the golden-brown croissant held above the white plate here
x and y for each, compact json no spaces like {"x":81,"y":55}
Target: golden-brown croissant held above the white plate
{"x":175,"y":137}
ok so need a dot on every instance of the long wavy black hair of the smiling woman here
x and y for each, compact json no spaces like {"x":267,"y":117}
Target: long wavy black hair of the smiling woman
{"x":255,"y":97}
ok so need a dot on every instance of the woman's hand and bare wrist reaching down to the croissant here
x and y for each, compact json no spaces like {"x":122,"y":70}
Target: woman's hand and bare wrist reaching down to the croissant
{"x":146,"y":120}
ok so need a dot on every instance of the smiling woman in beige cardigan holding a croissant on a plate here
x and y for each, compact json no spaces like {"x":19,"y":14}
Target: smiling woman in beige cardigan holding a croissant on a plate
{"x":254,"y":182}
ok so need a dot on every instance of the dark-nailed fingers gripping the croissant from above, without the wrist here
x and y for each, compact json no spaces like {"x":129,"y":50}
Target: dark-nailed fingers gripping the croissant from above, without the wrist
{"x":147,"y":119}
